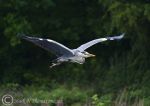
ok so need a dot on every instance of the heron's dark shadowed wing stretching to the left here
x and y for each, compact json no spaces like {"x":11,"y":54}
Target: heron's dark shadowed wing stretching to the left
{"x":50,"y":45}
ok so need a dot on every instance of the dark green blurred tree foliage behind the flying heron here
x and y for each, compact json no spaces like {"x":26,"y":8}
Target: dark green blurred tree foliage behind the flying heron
{"x":118,"y":65}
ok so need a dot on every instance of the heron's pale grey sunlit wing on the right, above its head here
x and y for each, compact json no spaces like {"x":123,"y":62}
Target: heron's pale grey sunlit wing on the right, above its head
{"x":93,"y":42}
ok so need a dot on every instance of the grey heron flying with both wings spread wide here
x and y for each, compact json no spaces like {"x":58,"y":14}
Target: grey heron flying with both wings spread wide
{"x":65,"y":54}
